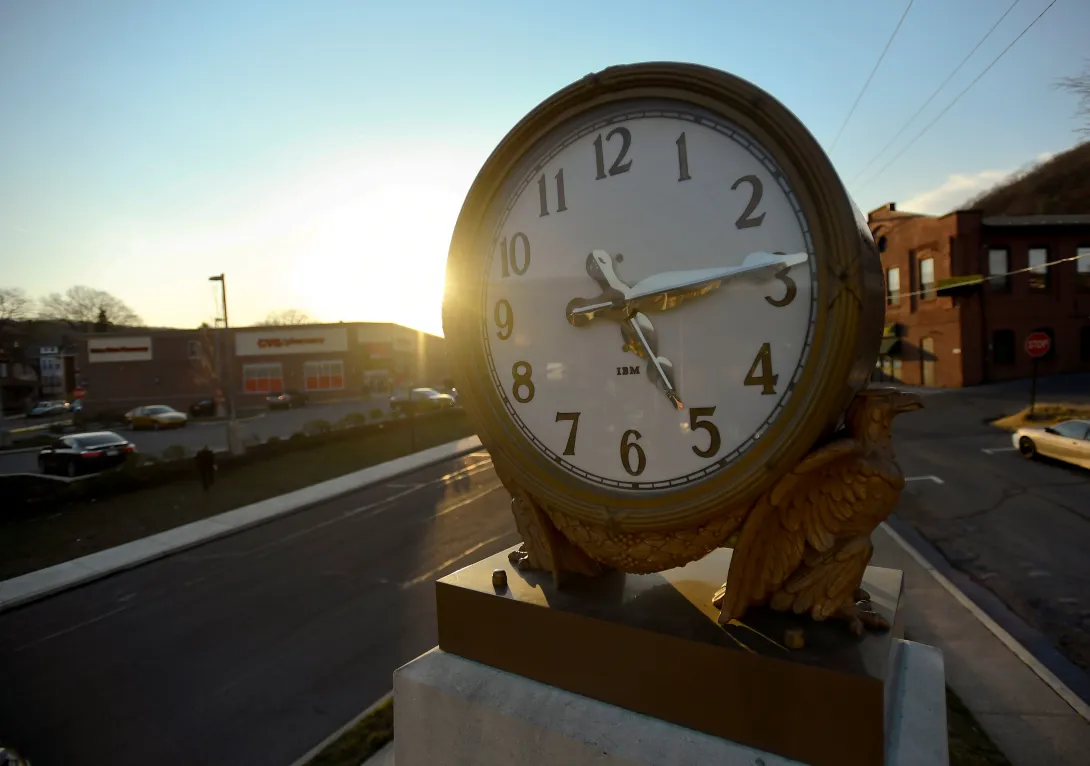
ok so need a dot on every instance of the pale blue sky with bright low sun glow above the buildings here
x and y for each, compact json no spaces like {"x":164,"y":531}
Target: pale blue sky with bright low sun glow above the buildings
{"x":318,"y":154}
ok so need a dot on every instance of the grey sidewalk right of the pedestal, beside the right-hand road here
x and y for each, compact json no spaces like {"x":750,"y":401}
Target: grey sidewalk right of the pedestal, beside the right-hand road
{"x":1030,"y":722}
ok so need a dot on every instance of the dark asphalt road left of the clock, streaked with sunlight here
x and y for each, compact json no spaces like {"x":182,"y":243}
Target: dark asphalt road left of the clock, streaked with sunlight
{"x":253,"y":649}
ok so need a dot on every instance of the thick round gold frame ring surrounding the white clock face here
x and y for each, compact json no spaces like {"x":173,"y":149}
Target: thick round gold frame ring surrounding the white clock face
{"x":849,"y":323}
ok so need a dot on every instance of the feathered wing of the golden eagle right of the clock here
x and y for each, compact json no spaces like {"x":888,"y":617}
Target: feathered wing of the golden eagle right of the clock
{"x":812,"y":505}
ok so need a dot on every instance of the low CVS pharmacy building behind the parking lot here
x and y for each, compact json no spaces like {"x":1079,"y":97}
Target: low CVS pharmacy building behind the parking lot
{"x":178,"y":368}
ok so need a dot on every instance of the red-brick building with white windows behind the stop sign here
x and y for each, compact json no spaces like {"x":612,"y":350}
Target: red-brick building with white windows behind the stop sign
{"x":955,"y":313}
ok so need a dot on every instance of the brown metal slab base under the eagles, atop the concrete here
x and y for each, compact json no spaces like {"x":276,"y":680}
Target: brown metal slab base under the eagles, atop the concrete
{"x":651,"y":645}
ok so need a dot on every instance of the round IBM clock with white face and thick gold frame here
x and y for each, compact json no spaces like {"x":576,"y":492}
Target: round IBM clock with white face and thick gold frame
{"x":660,"y":298}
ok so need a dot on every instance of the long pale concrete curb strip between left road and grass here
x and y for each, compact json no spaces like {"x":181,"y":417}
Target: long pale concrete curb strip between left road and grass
{"x":46,"y":582}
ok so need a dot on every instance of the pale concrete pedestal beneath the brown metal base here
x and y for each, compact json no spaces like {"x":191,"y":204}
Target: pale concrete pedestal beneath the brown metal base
{"x":459,"y":713}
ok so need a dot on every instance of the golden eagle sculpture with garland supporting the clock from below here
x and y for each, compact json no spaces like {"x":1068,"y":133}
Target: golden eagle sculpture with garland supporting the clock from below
{"x":803,"y":546}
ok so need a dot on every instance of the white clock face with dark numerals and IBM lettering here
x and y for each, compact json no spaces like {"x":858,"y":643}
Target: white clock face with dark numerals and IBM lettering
{"x":653,"y":228}
